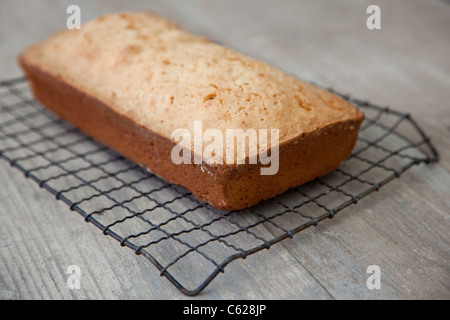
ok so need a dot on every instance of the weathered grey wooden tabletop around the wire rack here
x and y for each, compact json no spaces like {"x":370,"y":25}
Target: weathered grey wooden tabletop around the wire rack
{"x":404,"y":228}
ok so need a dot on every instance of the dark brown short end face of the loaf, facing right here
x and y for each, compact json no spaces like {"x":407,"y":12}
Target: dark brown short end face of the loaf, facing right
{"x":302,"y":160}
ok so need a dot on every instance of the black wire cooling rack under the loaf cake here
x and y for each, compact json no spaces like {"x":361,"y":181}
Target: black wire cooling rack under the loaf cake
{"x":188,"y":241}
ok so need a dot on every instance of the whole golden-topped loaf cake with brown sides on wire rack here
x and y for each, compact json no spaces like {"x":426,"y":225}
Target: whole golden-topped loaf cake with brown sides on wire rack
{"x":142,"y":85}
